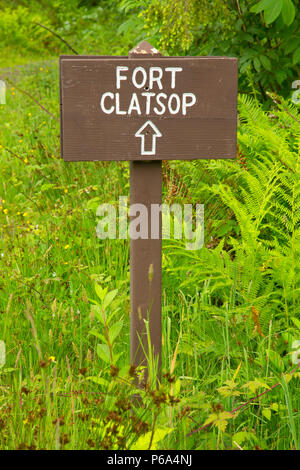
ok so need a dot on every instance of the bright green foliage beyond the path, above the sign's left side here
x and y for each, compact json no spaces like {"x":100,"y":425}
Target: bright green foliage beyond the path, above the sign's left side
{"x":87,"y":28}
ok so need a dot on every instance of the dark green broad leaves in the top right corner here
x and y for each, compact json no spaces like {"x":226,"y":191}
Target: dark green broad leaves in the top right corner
{"x":266,"y":40}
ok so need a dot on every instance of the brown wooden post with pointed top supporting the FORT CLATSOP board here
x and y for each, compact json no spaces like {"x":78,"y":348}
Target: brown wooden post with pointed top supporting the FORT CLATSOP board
{"x":145,"y":254}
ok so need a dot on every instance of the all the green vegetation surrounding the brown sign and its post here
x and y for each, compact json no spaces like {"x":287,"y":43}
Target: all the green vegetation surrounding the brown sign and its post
{"x":230,"y":310}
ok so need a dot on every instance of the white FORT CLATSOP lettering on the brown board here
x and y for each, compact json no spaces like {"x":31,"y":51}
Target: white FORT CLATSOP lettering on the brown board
{"x":149,"y":102}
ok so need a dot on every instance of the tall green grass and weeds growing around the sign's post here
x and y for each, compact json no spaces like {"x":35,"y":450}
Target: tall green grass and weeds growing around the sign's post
{"x":55,"y":390}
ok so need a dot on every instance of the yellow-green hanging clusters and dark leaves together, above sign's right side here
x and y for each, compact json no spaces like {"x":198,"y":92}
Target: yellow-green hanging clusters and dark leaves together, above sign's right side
{"x":264,"y":36}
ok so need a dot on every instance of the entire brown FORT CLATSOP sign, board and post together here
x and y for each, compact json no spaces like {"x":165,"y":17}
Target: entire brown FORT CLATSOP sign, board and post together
{"x":146,"y":108}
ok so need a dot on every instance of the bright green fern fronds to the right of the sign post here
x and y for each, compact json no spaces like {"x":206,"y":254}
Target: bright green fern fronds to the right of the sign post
{"x":258,"y":269}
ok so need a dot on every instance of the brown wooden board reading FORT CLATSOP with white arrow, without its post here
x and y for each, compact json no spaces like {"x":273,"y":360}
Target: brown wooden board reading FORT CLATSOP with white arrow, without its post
{"x":119,"y":108}
